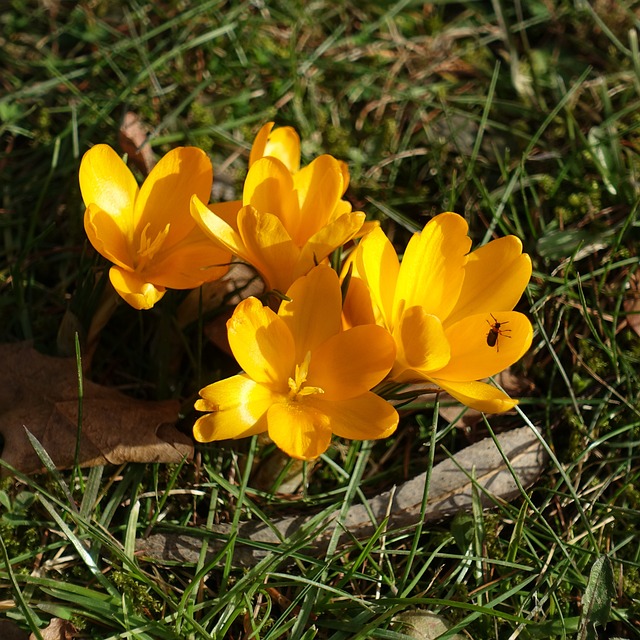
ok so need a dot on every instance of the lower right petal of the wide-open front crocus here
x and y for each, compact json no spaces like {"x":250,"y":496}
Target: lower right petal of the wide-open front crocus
{"x":365,"y":417}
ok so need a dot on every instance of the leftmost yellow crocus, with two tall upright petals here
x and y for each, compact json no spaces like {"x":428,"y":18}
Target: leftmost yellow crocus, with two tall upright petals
{"x":148,"y":233}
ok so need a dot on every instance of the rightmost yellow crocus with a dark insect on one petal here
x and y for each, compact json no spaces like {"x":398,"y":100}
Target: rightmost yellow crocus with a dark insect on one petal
{"x":449,"y":311}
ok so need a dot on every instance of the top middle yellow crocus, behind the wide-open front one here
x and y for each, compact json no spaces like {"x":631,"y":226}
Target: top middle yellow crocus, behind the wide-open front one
{"x":289,"y":219}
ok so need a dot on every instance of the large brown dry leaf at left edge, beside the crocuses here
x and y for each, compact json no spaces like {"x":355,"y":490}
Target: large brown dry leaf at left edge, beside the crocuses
{"x":40,"y":393}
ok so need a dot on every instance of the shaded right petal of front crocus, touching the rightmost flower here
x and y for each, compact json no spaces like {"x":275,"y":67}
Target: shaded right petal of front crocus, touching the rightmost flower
{"x":349,"y":364}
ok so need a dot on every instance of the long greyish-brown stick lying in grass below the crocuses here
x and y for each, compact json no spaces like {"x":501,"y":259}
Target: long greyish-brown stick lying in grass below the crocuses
{"x":450,"y":491}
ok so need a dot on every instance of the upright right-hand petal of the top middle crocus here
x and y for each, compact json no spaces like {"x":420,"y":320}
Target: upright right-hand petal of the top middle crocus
{"x":319,"y":188}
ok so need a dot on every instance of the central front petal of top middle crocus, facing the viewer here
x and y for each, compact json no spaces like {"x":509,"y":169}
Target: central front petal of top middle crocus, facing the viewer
{"x":268,"y":247}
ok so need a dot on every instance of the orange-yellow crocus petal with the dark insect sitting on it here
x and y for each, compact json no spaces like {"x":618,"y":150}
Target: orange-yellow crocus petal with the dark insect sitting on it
{"x":472,"y":354}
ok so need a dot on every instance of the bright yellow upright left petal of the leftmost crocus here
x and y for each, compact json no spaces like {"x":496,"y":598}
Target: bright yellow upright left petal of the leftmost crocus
{"x":106,"y":182}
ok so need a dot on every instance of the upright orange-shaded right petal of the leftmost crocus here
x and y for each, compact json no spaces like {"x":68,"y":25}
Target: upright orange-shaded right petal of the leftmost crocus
{"x":166,"y":193}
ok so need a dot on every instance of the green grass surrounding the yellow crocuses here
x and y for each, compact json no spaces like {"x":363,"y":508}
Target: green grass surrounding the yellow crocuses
{"x":521,"y":116}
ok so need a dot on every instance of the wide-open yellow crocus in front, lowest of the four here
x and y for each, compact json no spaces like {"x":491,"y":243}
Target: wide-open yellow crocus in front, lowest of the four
{"x":304,"y":379}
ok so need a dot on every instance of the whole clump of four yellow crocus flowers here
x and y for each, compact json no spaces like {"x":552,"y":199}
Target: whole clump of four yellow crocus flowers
{"x":310,"y":368}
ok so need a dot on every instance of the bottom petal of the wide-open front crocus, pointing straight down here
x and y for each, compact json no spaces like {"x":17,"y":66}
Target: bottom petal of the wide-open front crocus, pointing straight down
{"x":300,"y":430}
